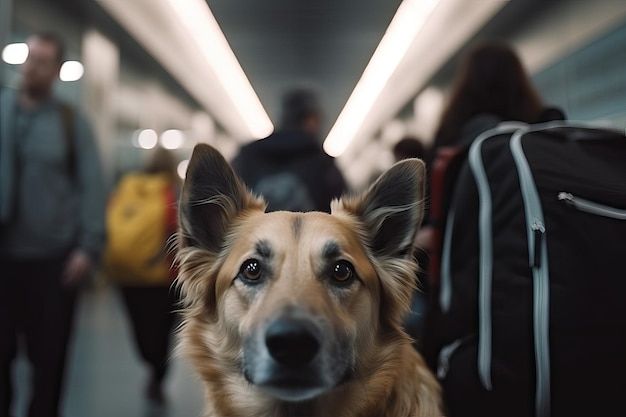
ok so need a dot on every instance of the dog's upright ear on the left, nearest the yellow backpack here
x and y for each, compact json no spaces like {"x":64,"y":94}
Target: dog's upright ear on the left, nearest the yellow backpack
{"x":212,"y":197}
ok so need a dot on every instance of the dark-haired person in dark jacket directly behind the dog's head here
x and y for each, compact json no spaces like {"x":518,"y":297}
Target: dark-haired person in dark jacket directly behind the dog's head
{"x":289,"y":168}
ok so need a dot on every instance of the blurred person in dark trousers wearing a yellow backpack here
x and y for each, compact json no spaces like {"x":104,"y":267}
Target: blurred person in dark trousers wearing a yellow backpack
{"x":141,"y":222}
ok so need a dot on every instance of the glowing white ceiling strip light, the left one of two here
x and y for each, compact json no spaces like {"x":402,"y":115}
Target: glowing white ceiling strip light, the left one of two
{"x":196,"y":16}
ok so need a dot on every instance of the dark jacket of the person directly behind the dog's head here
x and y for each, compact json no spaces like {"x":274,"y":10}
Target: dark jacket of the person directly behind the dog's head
{"x":291,"y":171}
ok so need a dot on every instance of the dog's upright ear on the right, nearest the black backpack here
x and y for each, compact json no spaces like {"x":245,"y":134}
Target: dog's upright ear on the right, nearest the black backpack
{"x":392,"y":209}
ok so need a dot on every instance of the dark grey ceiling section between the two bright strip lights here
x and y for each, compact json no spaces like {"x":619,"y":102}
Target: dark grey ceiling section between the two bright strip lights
{"x":324,"y":44}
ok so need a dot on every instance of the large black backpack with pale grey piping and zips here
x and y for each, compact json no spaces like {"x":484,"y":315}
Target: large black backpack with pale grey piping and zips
{"x":530,"y":311}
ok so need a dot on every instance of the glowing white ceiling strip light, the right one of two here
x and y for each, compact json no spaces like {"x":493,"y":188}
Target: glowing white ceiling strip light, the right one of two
{"x":402,"y":30}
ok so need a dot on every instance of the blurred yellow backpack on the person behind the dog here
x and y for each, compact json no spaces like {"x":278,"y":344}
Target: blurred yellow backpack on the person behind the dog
{"x":139,"y":218}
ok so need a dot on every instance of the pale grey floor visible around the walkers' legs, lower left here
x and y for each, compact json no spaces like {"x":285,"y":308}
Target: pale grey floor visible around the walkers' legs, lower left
{"x":105,"y":377}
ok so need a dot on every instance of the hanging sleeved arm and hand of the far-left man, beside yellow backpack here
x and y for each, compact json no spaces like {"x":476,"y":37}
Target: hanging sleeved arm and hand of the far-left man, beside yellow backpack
{"x":91,"y":204}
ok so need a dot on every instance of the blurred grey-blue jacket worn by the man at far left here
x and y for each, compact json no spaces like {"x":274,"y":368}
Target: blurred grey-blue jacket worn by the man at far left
{"x":45,"y":209}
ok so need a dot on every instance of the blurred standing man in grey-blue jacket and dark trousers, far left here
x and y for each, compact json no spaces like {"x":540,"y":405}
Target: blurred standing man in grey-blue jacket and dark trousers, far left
{"x":51,"y":223}
